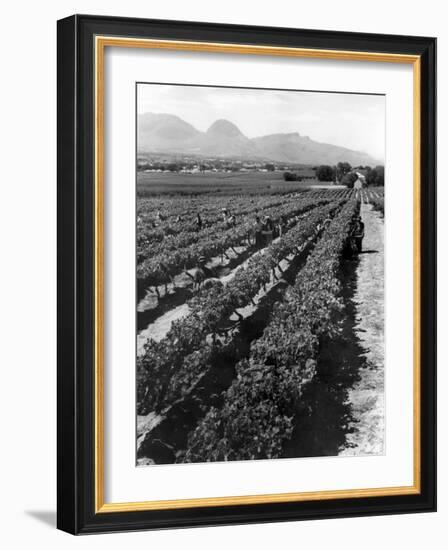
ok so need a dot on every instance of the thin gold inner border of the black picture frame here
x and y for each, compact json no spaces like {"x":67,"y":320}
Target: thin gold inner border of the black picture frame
{"x":100,"y":44}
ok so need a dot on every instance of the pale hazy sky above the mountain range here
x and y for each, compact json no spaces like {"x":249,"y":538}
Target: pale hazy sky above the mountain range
{"x":350,"y":120}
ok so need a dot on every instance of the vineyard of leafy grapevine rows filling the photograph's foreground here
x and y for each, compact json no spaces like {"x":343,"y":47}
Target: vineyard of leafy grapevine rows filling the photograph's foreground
{"x":233,"y":320}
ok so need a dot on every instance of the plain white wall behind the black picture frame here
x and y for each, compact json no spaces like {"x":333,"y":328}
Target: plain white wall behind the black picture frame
{"x":28,"y":271}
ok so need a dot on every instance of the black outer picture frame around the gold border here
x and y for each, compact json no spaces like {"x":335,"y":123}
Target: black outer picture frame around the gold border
{"x":76,"y":225}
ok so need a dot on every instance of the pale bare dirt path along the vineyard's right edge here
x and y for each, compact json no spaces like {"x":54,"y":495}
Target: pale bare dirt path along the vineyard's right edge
{"x":367,"y":395}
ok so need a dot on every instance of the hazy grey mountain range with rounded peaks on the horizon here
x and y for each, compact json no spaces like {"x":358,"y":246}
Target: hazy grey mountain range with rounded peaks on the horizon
{"x":169,"y":134}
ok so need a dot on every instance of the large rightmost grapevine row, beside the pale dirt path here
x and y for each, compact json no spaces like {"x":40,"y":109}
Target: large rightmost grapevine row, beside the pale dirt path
{"x":257,"y":416}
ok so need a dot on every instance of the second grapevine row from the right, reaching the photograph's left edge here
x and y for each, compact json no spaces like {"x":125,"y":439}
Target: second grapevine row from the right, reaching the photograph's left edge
{"x":164,"y":369}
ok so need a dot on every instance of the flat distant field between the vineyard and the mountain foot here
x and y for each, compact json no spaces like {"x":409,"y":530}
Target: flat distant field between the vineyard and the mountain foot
{"x":171,"y":183}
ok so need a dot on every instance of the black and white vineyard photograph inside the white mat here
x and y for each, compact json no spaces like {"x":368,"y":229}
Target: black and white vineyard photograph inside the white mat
{"x":260,"y":274}
